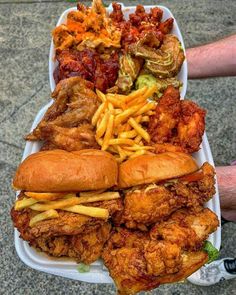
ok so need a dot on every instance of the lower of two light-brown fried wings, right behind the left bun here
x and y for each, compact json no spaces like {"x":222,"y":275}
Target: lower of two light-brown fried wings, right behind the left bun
{"x":69,"y":139}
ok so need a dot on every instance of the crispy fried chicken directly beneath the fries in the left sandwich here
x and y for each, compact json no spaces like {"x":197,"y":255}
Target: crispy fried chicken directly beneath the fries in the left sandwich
{"x":67,"y":223}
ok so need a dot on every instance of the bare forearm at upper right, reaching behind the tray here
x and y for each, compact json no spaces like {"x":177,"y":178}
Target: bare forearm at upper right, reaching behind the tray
{"x":216,"y":59}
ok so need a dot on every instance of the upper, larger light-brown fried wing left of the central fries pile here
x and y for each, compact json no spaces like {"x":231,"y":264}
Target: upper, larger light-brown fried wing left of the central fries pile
{"x":74,"y":104}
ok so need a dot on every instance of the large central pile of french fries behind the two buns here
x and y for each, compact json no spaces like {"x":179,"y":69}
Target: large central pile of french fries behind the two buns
{"x":119,"y":122}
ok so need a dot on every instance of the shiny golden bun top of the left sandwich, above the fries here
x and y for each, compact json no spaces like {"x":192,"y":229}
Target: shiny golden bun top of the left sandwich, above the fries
{"x":62,"y":171}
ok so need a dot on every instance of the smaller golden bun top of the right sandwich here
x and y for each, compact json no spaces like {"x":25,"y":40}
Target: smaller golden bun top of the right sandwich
{"x":154,"y":168}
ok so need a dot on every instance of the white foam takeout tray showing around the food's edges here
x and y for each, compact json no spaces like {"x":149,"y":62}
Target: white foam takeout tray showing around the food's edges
{"x":98,"y":273}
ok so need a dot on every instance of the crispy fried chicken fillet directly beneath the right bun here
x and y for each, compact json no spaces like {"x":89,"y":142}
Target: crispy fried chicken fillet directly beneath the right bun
{"x":146,"y":206}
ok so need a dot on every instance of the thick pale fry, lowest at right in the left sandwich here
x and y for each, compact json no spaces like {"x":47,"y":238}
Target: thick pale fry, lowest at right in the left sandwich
{"x":89,"y":211}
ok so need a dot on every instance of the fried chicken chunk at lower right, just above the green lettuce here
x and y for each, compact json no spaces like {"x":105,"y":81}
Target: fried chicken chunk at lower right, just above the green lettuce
{"x":187,"y":229}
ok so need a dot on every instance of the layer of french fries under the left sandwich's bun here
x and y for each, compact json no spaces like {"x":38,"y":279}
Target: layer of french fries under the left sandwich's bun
{"x":48,"y":203}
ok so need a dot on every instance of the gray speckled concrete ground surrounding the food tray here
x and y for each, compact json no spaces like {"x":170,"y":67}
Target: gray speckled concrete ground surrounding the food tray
{"x":24,"y":46}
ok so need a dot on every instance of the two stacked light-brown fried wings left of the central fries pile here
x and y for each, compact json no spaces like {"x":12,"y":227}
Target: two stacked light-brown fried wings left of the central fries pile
{"x":67,"y":122}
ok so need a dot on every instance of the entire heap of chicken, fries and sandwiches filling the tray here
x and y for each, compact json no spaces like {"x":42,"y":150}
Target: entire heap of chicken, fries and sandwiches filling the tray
{"x":115,"y":177}
